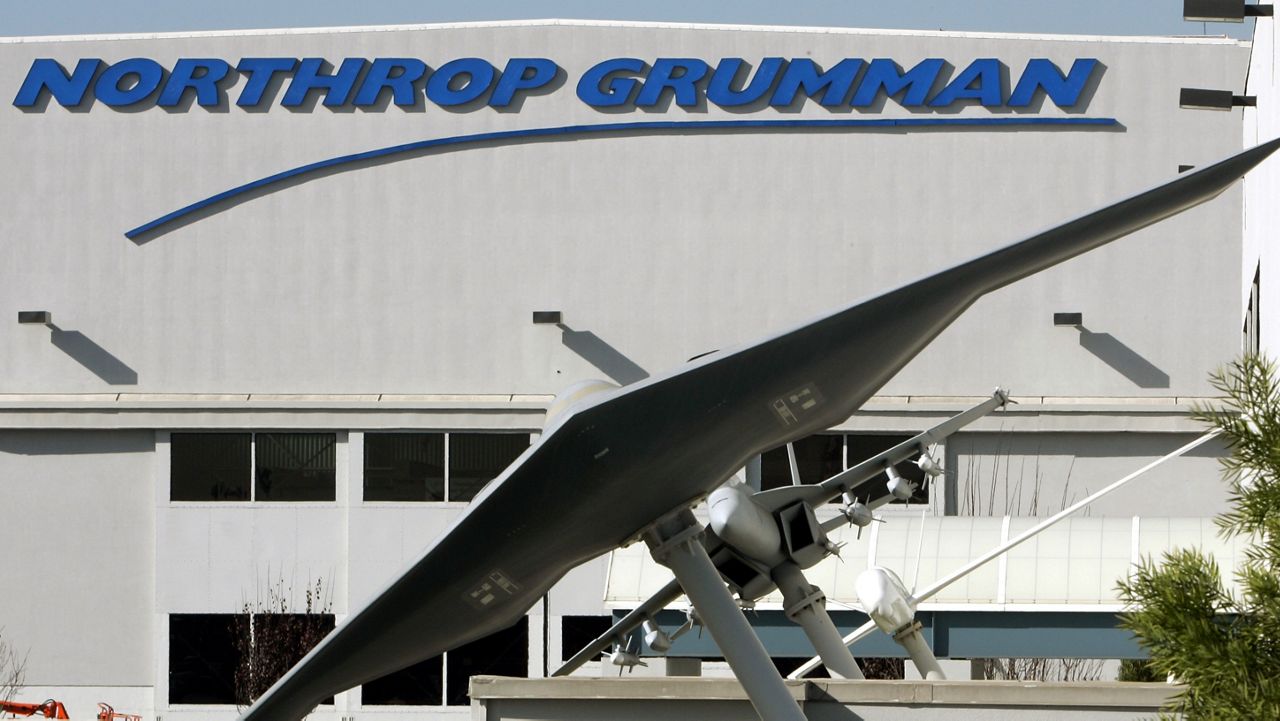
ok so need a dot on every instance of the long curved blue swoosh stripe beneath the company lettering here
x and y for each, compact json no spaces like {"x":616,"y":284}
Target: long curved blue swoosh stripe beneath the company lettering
{"x":657,"y":126}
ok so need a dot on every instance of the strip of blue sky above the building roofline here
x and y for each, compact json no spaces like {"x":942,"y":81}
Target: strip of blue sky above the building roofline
{"x":1077,"y":17}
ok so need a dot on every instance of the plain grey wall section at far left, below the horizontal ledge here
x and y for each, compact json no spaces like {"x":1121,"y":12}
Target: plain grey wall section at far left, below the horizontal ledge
{"x":79,"y":563}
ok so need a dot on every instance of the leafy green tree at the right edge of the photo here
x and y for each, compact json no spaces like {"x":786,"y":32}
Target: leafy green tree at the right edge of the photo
{"x":1224,"y":649}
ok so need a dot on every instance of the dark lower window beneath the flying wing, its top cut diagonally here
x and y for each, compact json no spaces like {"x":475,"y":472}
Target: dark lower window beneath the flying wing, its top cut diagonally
{"x":446,"y":679}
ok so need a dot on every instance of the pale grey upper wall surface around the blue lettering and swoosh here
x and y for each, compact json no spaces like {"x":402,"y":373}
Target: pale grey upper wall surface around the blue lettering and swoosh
{"x":419,"y":276}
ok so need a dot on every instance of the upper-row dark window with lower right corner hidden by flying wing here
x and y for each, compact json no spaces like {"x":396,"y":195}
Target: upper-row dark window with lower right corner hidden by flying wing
{"x":436,"y":467}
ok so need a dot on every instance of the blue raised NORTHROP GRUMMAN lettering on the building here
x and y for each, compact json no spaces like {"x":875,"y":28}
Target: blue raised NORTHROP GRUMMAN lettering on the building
{"x":732,"y":83}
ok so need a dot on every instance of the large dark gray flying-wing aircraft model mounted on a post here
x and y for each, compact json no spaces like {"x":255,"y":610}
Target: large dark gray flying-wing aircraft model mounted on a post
{"x":621,"y":460}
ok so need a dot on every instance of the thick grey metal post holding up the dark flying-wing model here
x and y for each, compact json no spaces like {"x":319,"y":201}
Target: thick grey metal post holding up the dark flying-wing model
{"x":674,"y":544}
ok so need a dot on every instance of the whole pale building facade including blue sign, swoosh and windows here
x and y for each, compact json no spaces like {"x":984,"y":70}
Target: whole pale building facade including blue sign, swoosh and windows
{"x":291,"y":279}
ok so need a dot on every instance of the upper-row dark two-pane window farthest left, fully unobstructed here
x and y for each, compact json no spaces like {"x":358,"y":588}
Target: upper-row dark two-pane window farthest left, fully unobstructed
{"x":253,"y":467}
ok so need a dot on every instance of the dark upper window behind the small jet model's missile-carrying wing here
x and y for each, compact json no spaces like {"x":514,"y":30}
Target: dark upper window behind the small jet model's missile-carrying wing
{"x":822,"y":457}
